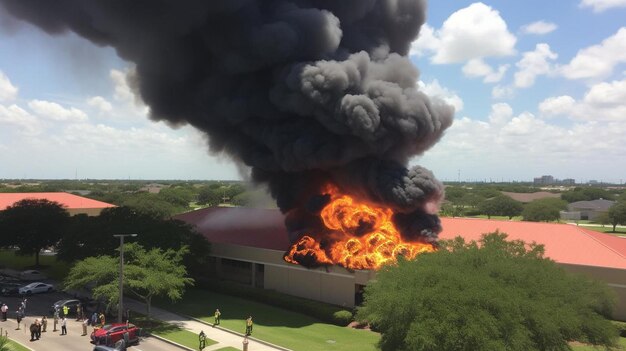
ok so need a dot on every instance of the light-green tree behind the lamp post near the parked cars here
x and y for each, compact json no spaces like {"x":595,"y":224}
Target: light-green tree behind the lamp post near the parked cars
{"x":146,"y":274}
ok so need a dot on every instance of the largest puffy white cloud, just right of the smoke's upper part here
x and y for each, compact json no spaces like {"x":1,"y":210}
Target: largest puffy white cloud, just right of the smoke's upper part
{"x":473,"y":32}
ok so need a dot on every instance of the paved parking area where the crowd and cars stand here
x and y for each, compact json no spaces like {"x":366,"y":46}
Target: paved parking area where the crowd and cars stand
{"x":39,"y":305}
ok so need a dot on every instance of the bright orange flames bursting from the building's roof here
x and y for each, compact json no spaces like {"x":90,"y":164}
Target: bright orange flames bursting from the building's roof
{"x":363,"y":236}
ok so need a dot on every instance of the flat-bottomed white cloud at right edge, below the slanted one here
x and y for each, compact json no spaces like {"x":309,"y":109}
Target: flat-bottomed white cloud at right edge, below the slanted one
{"x":603,"y":102}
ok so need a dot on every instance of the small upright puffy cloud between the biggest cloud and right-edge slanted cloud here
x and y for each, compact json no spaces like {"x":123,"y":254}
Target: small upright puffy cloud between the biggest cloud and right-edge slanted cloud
{"x":533,"y":64}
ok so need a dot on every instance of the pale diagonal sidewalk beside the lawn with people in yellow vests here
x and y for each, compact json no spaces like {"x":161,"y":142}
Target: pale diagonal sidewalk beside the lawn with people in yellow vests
{"x":224,"y":338}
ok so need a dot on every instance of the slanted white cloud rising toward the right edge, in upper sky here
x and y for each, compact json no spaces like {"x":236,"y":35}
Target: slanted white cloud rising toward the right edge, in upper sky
{"x":598,"y":61}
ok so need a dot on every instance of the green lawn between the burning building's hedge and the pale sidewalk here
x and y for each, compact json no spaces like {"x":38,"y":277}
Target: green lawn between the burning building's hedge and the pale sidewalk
{"x":277,"y":326}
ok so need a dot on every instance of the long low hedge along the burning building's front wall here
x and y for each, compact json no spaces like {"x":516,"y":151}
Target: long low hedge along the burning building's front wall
{"x":325,"y":312}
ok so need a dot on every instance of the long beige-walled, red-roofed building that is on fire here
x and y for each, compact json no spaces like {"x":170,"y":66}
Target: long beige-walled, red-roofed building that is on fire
{"x":247,"y":246}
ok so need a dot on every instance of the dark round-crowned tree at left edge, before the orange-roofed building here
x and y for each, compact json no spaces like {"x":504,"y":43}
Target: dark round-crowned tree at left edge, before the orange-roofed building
{"x":34,"y":224}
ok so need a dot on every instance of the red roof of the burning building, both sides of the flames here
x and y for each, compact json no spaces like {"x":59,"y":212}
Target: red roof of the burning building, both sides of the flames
{"x":563,"y":243}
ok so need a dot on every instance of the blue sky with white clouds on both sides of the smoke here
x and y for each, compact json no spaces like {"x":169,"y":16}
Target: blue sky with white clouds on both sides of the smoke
{"x":539,"y":88}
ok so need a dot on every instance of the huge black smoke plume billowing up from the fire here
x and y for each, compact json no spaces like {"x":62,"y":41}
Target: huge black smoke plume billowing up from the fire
{"x":302,"y":91}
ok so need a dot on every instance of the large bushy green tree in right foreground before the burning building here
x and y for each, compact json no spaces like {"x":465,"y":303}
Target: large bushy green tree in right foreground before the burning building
{"x":491,"y":295}
